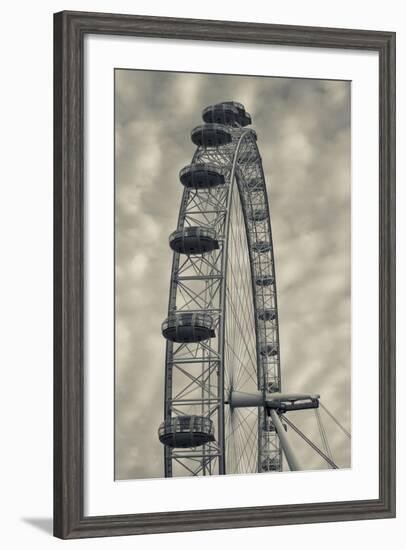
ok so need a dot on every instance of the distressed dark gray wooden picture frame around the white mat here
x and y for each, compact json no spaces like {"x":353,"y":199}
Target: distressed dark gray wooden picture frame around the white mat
{"x":69,"y":31}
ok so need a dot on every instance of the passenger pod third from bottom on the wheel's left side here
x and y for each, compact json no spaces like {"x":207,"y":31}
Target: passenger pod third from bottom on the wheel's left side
{"x":194,"y":240}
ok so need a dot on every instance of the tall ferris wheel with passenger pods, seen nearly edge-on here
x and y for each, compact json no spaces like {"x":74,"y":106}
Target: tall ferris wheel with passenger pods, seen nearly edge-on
{"x":223,"y":405}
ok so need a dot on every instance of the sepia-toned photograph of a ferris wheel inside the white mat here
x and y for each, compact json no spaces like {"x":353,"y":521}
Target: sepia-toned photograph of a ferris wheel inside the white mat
{"x":232,"y":272}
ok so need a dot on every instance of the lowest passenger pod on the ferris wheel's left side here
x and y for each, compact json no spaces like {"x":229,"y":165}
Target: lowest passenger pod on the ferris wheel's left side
{"x":186,"y":431}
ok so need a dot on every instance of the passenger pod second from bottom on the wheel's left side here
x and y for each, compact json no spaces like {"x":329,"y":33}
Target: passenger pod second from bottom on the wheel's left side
{"x":188,"y":327}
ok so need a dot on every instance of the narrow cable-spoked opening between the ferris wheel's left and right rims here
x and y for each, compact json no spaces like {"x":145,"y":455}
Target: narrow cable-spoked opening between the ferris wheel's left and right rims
{"x":240,"y":357}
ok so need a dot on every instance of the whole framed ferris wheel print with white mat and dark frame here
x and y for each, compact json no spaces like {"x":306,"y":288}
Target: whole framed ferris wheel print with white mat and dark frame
{"x":224,"y":274}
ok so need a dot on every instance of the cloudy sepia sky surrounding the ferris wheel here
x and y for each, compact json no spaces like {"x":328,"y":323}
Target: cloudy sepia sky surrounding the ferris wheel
{"x":303,"y":129}
